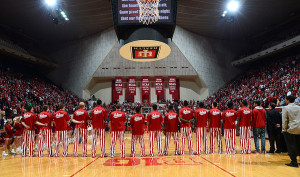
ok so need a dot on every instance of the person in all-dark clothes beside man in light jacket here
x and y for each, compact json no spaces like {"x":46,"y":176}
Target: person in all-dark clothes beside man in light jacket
{"x":274,"y":122}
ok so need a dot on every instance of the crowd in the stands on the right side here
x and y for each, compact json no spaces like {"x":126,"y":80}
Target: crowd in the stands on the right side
{"x":271,"y":82}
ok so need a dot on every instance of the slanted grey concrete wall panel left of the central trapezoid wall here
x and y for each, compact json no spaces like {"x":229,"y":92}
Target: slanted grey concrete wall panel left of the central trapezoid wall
{"x":79,"y":60}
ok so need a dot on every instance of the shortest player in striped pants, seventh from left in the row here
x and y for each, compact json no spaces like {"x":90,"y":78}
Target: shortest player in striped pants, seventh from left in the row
{"x":137,"y":123}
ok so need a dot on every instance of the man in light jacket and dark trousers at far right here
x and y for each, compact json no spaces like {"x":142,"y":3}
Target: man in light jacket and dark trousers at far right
{"x":291,"y":129}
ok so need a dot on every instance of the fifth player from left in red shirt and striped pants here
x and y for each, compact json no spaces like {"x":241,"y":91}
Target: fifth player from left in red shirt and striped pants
{"x":98,"y":116}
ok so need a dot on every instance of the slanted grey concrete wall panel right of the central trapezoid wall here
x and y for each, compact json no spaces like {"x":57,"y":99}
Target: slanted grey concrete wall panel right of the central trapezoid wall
{"x":211,"y":58}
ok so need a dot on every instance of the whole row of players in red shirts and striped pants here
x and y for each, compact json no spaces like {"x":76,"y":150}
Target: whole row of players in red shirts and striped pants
{"x":206,"y":123}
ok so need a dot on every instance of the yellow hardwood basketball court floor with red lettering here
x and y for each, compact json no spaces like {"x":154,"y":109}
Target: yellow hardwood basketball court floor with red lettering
{"x":187,"y":165}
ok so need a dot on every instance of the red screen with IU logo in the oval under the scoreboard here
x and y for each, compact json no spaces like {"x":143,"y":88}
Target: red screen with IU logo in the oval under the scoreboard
{"x":145,"y":52}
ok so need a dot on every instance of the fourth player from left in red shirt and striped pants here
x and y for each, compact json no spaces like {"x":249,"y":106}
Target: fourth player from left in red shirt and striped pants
{"x":80,"y":129}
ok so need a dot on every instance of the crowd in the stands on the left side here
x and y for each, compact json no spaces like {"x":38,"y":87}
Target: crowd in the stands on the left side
{"x":19,"y":89}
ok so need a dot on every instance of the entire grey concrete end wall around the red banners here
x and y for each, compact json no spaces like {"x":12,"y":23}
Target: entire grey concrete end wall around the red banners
{"x":98,"y":56}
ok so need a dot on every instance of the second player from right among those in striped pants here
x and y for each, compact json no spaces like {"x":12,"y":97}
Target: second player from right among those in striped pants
{"x":229,"y":117}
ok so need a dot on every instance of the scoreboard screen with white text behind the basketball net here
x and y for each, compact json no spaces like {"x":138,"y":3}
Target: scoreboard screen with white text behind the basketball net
{"x":129,"y":11}
